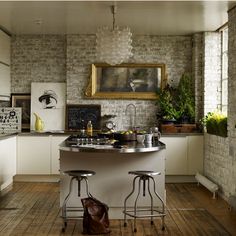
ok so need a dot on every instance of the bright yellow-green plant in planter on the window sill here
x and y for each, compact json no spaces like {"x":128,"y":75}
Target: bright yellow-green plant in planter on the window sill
{"x":215,"y":123}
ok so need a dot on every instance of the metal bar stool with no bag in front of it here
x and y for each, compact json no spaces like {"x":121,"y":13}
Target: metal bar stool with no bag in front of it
{"x":142,"y":177}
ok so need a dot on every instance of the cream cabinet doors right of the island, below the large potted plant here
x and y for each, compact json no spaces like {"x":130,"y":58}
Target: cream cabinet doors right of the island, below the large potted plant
{"x":184,"y":154}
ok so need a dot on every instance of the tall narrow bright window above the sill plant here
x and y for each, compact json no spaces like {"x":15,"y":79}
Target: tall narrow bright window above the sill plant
{"x":224,"y":74}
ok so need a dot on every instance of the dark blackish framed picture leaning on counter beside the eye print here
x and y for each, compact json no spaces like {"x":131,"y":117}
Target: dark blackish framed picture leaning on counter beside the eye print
{"x":77,"y":116}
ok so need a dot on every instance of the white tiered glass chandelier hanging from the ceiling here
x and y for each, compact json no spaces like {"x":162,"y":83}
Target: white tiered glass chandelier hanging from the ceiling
{"x":113,"y":46}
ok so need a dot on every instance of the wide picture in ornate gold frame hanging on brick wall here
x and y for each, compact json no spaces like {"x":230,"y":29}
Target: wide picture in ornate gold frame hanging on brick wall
{"x":126,"y":81}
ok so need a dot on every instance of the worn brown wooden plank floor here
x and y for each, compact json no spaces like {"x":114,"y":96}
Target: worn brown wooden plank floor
{"x":33,"y":209}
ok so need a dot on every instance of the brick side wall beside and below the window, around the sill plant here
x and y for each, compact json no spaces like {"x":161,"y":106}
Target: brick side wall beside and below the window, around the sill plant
{"x":216,"y":161}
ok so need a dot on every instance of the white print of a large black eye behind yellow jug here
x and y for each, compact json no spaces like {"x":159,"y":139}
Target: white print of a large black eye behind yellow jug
{"x":48,"y":102}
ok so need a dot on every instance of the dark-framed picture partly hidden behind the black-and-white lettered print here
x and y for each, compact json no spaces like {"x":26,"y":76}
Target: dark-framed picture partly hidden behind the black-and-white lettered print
{"x":22,"y":100}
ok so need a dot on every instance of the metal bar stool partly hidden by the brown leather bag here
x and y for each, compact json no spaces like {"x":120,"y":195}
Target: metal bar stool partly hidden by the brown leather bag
{"x":78,"y":175}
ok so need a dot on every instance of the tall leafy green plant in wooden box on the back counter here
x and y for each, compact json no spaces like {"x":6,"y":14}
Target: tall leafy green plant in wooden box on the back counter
{"x":177,"y":105}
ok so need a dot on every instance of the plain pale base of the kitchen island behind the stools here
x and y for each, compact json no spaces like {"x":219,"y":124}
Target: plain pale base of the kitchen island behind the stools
{"x":111,"y":184}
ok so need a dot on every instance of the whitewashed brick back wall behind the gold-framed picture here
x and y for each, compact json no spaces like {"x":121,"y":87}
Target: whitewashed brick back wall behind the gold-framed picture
{"x":54,"y":58}
